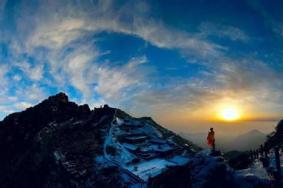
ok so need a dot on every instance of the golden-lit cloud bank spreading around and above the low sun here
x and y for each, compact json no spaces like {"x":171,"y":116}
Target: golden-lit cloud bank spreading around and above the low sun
{"x":248,"y":83}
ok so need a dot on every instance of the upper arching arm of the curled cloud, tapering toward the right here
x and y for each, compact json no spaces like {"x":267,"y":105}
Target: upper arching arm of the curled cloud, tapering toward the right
{"x":65,"y":27}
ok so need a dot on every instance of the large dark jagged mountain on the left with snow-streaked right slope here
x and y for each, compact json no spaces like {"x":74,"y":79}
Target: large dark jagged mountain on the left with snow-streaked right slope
{"x":58,"y":143}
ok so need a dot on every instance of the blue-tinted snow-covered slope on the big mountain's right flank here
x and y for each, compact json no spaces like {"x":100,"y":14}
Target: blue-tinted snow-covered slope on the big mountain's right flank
{"x":140,"y":148}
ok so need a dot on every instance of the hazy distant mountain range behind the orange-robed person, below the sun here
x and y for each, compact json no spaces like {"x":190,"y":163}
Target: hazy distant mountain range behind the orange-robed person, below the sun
{"x":247,"y":141}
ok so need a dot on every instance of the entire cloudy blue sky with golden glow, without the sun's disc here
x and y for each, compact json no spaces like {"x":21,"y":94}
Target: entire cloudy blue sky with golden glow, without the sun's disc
{"x":178,"y":61}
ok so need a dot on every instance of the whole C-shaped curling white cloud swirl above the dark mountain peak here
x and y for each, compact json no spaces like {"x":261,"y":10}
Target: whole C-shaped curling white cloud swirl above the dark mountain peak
{"x":64,"y":30}
